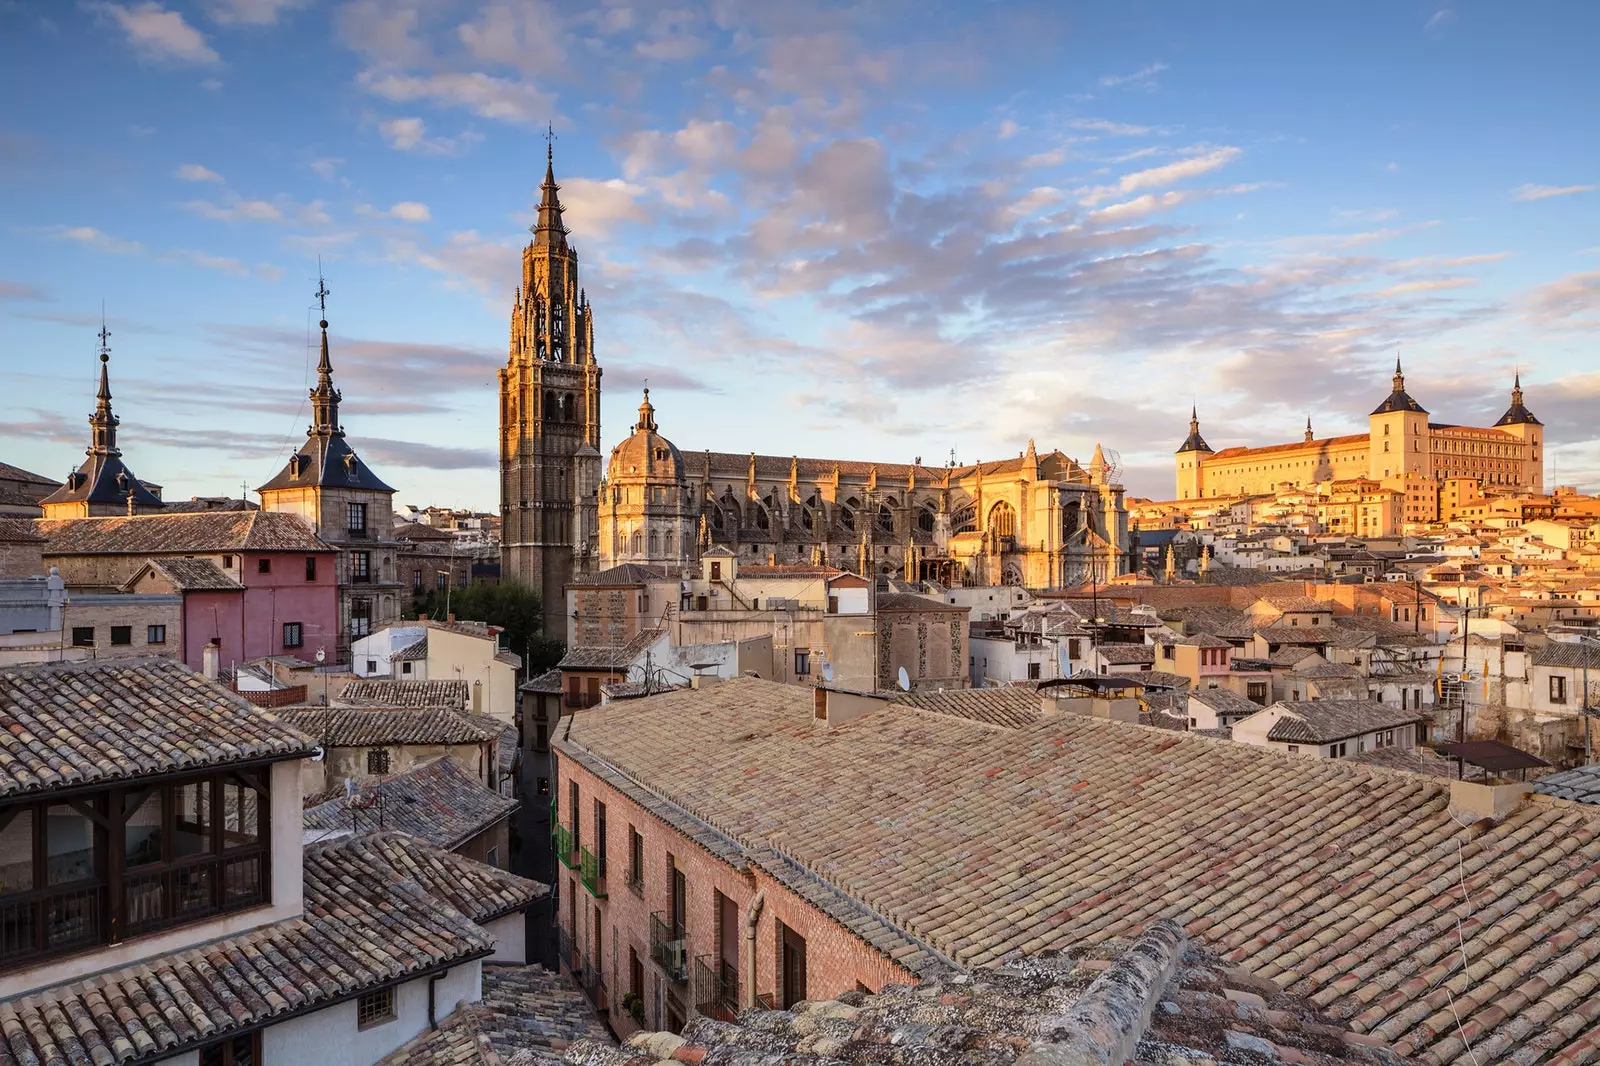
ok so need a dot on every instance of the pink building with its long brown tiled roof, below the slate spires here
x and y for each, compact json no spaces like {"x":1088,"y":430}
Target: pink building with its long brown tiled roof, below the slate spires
{"x":258,"y":583}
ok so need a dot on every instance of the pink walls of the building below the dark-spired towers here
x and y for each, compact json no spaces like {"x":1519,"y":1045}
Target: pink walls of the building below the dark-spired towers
{"x":250,"y":625}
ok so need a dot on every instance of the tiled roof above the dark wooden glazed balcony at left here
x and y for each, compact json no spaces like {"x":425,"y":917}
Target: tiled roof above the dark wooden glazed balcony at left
{"x":108,"y":721}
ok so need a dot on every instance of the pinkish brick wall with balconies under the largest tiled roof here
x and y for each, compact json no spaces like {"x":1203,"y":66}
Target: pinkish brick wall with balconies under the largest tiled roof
{"x":836,"y":960}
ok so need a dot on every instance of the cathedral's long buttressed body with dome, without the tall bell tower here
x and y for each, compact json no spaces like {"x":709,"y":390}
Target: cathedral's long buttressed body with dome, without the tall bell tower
{"x":1038,"y":521}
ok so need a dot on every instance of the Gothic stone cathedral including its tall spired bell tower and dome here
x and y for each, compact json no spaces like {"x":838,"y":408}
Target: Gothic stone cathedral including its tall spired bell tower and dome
{"x":1036,"y":521}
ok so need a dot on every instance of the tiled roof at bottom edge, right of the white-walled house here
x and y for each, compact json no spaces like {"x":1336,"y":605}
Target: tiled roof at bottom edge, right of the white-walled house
{"x":529,"y":1017}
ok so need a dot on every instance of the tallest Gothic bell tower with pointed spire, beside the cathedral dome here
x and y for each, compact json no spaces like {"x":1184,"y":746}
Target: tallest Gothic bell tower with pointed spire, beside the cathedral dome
{"x":550,"y":420}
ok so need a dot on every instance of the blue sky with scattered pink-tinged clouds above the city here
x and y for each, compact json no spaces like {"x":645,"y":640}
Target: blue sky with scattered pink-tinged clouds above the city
{"x":878,"y":230}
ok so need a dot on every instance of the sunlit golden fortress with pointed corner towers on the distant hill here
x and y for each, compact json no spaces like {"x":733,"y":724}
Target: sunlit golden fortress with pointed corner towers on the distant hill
{"x":1402,"y":451}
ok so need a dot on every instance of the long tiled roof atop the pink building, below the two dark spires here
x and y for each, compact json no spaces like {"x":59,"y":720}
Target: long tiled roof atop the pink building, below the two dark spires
{"x":178,"y":534}
